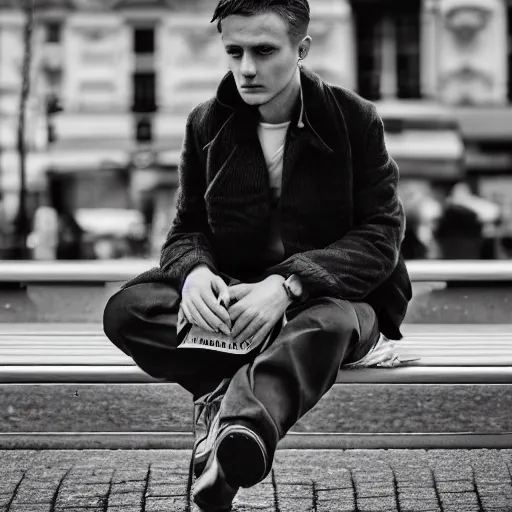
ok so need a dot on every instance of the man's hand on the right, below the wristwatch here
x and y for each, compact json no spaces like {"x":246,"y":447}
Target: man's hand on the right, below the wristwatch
{"x":257,"y":309}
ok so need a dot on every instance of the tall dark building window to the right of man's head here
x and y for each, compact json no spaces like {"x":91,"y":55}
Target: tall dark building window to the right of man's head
{"x":388,"y":49}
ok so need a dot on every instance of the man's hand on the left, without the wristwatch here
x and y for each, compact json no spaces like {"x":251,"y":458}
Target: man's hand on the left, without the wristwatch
{"x":200,"y":302}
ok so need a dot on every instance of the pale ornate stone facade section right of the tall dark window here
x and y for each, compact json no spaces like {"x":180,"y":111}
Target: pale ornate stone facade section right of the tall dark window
{"x":465,"y":45}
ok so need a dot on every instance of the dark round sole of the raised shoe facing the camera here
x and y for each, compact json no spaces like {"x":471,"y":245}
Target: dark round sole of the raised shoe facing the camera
{"x":242,"y":456}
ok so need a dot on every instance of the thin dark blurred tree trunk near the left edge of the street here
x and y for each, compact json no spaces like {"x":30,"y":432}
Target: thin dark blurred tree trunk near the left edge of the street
{"x":21,"y":221}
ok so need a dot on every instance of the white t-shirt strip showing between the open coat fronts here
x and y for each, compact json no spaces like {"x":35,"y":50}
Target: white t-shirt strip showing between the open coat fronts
{"x":272,"y":138}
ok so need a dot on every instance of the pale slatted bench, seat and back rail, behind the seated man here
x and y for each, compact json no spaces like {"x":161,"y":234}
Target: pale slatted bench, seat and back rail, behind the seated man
{"x":81,"y":352}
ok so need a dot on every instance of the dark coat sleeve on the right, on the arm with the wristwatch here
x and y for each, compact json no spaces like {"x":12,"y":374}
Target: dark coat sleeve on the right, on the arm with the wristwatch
{"x":367,"y":254}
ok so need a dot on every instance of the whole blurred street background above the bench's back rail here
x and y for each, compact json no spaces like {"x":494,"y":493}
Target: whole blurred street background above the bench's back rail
{"x":94,"y":95}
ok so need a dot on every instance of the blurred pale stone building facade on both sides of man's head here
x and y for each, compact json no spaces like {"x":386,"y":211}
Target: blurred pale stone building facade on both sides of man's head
{"x":89,"y":64}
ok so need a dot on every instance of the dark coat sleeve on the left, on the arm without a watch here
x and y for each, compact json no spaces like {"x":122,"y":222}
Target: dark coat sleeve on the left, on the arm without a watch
{"x":188,"y":241}
